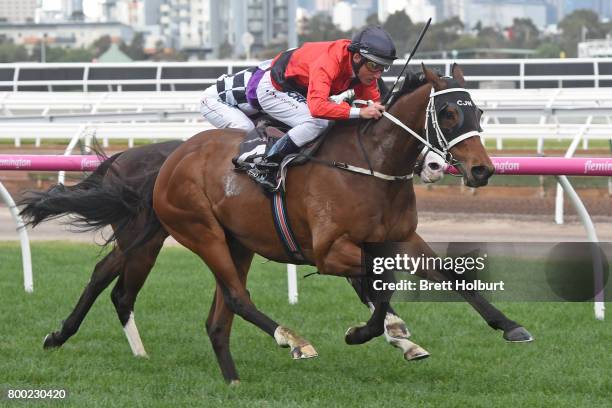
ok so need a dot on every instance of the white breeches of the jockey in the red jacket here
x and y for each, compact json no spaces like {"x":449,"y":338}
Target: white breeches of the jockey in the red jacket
{"x":290,"y":108}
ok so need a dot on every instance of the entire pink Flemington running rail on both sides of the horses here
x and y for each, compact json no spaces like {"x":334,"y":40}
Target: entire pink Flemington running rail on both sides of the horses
{"x":575,"y":166}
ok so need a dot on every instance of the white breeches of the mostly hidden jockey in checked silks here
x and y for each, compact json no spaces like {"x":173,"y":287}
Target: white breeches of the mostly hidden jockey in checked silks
{"x":223,"y":115}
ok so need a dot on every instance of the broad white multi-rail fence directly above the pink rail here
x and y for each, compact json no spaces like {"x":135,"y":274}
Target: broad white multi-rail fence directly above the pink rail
{"x":544,"y":114}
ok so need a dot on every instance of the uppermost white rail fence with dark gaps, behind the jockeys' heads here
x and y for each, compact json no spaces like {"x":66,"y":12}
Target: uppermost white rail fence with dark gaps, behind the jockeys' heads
{"x":160,"y":76}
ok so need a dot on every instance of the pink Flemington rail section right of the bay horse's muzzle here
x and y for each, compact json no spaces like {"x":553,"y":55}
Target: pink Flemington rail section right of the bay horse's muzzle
{"x":553,"y":166}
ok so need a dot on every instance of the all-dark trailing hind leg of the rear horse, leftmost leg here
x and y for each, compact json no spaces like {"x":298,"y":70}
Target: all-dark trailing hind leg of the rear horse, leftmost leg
{"x":104,"y":273}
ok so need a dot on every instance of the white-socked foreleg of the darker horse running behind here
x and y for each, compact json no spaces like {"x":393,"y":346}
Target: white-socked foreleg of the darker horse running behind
{"x":395,"y":329}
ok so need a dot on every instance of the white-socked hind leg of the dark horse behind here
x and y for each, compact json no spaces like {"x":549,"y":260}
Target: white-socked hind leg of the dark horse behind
{"x":135,"y":272}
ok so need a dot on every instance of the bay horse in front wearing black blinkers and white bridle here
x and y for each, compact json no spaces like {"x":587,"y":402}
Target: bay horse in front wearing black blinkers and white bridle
{"x":225,"y":218}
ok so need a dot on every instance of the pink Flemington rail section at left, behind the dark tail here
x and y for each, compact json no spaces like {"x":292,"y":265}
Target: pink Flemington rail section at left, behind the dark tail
{"x":48,"y":162}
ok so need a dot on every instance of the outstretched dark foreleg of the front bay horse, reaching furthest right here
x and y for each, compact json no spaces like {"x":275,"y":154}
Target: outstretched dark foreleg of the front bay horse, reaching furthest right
{"x":513,"y":331}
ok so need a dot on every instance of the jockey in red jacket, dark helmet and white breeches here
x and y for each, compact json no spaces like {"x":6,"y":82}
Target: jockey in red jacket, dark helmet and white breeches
{"x":297,"y":88}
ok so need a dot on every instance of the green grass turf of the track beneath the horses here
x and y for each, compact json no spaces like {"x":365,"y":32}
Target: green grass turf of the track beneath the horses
{"x":568,"y":364}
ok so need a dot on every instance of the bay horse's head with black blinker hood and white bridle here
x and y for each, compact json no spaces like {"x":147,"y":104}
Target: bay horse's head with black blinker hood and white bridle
{"x":453,"y":126}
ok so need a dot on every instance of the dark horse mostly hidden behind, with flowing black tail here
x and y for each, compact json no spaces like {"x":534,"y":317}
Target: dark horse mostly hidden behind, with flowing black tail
{"x":118,"y":194}
